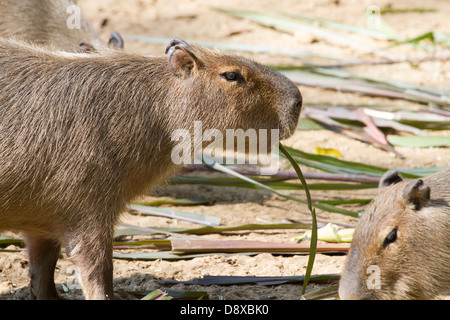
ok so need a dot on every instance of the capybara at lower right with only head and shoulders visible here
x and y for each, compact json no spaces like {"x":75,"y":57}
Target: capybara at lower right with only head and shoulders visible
{"x":401,"y":245}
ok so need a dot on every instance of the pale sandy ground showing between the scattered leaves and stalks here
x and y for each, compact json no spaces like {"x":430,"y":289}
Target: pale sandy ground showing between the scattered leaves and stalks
{"x":196,"y":21}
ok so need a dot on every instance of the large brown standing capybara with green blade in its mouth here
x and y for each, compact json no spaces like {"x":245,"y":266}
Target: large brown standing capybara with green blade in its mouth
{"x":81,"y":135}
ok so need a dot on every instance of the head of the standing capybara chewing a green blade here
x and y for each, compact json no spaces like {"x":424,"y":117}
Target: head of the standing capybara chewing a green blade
{"x":242,"y":93}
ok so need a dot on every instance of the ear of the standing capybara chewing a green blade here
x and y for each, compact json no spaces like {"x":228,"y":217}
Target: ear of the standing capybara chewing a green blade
{"x":181,"y":61}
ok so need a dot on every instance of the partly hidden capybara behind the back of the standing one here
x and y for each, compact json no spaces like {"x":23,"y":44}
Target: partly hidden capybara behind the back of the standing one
{"x":56,"y":24}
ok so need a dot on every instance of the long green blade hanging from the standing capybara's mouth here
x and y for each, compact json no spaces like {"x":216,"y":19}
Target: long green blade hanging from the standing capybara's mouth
{"x":313,"y":243}
